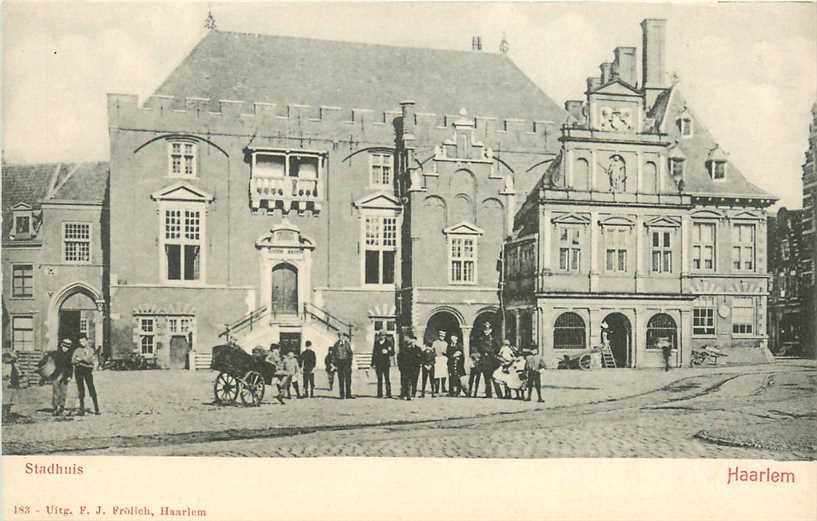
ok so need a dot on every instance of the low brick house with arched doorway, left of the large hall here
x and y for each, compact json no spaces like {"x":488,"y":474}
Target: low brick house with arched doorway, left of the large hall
{"x":54,"y":230}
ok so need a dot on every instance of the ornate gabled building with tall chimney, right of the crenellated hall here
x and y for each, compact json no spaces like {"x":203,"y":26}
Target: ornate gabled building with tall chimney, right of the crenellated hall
{"x":641,"y":226}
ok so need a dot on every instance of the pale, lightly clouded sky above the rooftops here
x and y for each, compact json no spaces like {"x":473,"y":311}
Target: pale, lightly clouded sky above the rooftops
{"x":748,"y":70}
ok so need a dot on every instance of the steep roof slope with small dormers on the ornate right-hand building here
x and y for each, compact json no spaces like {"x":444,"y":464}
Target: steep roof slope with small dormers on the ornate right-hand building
{"x":697,"y":148}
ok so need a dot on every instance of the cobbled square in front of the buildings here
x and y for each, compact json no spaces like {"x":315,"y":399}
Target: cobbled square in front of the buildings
{"x":766,"y":411}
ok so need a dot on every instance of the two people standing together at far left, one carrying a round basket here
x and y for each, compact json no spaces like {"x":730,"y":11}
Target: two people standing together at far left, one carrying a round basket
{"x":72,"y":361}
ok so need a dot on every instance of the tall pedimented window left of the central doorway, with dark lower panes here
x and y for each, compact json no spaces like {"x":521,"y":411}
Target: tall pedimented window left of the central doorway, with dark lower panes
{"x":182,"y":242}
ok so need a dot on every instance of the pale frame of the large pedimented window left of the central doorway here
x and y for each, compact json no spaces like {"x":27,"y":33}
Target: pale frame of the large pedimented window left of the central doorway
{"x":183,"y":207}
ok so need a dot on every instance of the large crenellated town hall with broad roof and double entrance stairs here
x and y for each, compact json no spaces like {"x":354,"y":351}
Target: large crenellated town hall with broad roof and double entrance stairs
{"x":278,"y":189}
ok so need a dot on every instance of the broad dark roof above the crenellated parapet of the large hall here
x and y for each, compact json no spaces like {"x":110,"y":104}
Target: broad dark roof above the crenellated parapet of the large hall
{"x":278,"y":69}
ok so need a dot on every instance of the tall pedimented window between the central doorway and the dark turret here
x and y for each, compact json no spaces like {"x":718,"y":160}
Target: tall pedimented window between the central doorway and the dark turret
{"x":381,"y":248}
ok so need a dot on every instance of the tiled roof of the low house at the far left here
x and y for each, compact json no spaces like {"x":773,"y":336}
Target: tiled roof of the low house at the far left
{"x":30,"y":184}
